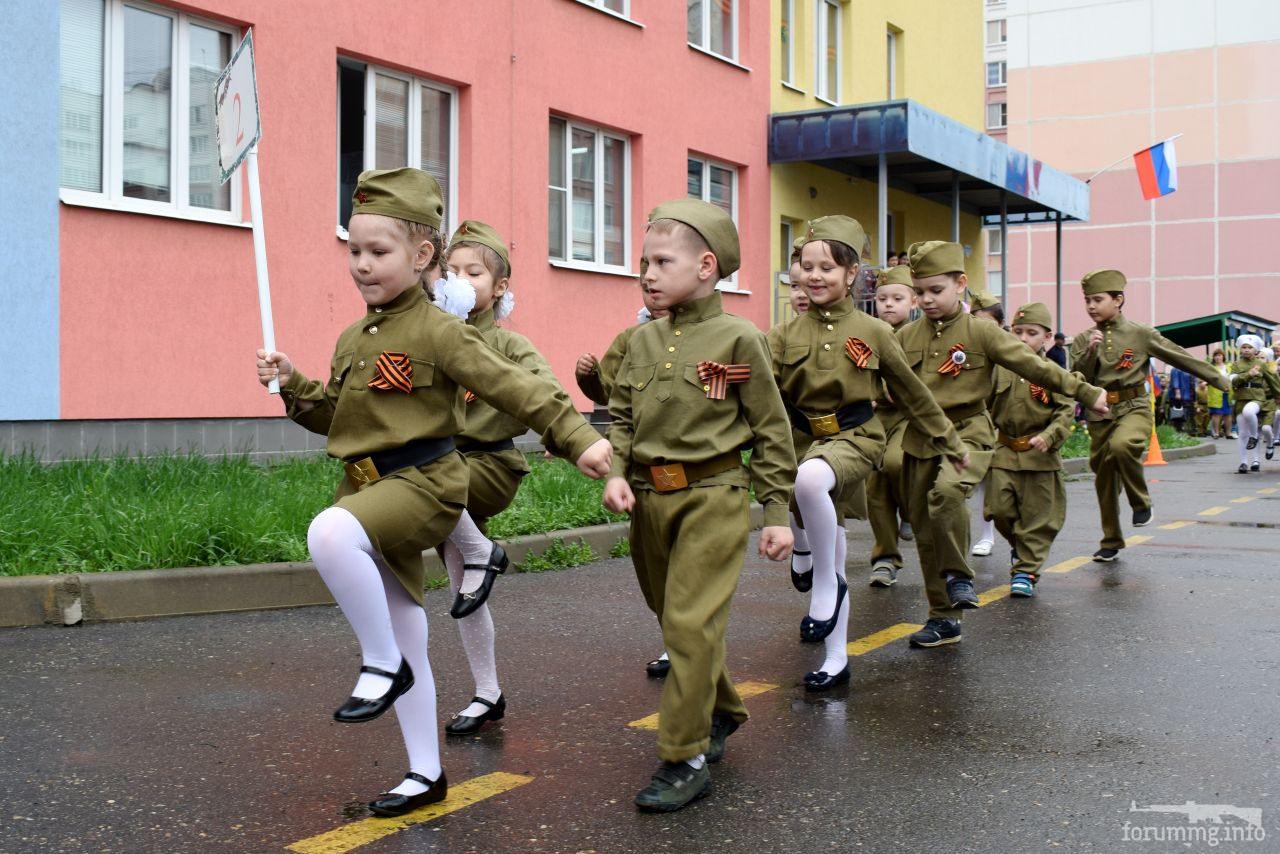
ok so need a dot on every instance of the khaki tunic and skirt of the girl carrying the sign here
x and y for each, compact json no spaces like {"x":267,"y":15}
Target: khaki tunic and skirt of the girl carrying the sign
{"x":415,"y":509}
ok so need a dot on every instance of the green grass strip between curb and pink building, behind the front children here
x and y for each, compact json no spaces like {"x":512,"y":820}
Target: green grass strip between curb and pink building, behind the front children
{"x":130,"y":514}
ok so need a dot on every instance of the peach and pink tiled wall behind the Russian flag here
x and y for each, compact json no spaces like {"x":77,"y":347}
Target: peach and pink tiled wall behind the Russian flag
{"x":1212,"y":246}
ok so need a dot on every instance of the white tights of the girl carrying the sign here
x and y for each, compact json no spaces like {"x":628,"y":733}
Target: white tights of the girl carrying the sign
{"x":388,"y":624}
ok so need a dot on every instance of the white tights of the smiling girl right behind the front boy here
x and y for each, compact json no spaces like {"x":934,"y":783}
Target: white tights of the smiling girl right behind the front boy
{"x":815,"y":482}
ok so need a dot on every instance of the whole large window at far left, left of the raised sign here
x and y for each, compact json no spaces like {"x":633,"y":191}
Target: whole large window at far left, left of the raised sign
{"x":138,"y":109}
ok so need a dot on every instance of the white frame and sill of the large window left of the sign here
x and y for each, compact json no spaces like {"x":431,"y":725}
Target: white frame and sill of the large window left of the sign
{"x":112,"y":195}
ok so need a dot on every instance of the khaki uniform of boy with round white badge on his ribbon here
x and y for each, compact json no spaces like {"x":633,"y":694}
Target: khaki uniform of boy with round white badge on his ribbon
{"x":936,"y":494}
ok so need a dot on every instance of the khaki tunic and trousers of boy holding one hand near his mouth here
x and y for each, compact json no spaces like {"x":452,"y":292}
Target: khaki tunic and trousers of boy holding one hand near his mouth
{"x":1119,"y":440}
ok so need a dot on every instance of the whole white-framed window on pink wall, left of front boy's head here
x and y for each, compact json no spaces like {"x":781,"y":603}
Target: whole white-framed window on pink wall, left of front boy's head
{"x":588,"y":197}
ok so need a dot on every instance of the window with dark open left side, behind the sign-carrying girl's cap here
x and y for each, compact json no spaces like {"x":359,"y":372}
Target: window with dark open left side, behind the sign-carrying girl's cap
{"x":413,"y":124}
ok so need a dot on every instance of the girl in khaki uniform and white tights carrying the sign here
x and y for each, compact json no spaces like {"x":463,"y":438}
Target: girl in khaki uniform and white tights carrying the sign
{"x":391,"y":408}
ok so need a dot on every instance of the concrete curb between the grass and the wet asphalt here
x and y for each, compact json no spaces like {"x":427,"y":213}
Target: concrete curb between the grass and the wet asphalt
{"x":139,"y":595}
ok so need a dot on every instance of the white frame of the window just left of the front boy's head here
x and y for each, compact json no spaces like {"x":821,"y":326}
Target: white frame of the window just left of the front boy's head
{"x":598,"y":199}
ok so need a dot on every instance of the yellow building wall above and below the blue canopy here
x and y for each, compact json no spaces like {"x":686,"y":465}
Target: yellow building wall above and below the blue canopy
{"x":939,"y":65}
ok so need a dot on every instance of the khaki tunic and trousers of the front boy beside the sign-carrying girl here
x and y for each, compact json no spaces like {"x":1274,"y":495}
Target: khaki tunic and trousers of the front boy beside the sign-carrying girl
{"x":688,"y":546}
